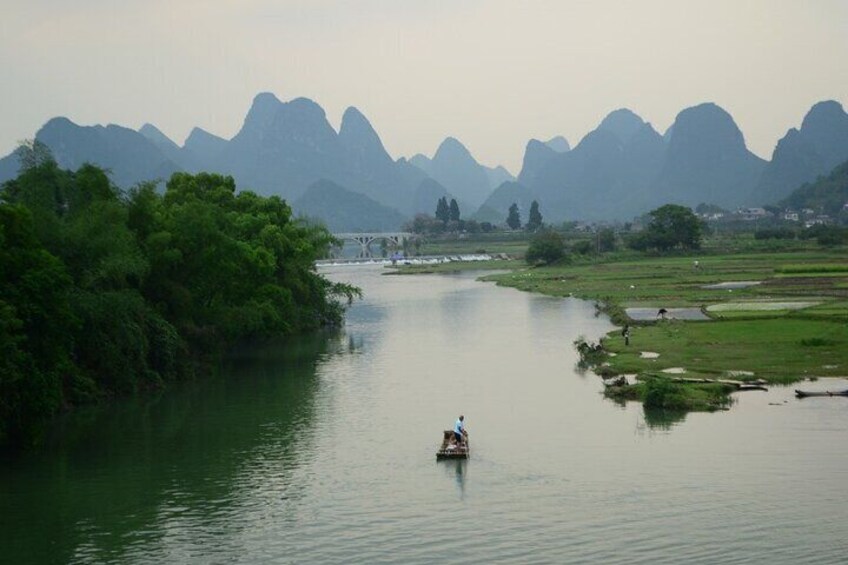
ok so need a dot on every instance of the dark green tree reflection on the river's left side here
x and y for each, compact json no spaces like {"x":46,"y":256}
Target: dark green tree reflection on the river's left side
{"x":134,"y":473}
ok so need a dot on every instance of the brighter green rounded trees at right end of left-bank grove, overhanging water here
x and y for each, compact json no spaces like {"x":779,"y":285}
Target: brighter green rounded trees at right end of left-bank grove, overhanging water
{"x":230,"y":266}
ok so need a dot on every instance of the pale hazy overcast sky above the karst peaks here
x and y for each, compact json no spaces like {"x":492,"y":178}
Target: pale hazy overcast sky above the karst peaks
{"x":492,"y":73}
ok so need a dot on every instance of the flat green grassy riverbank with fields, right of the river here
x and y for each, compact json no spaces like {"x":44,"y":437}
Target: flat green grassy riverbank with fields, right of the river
{"x":774,"y":312}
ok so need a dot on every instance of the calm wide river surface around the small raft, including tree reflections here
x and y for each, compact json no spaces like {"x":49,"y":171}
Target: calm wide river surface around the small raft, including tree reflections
{"x":322,"y":450}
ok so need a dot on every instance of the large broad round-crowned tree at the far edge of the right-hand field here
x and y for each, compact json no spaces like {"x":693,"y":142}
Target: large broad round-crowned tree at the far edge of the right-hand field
{"x":671,"y":226}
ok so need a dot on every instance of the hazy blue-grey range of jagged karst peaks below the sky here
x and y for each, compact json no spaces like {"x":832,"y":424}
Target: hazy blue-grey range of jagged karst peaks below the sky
{"x":621,"y":169}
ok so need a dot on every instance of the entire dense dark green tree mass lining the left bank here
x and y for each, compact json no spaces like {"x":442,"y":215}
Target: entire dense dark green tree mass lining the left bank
{"x":105,"y":293}
